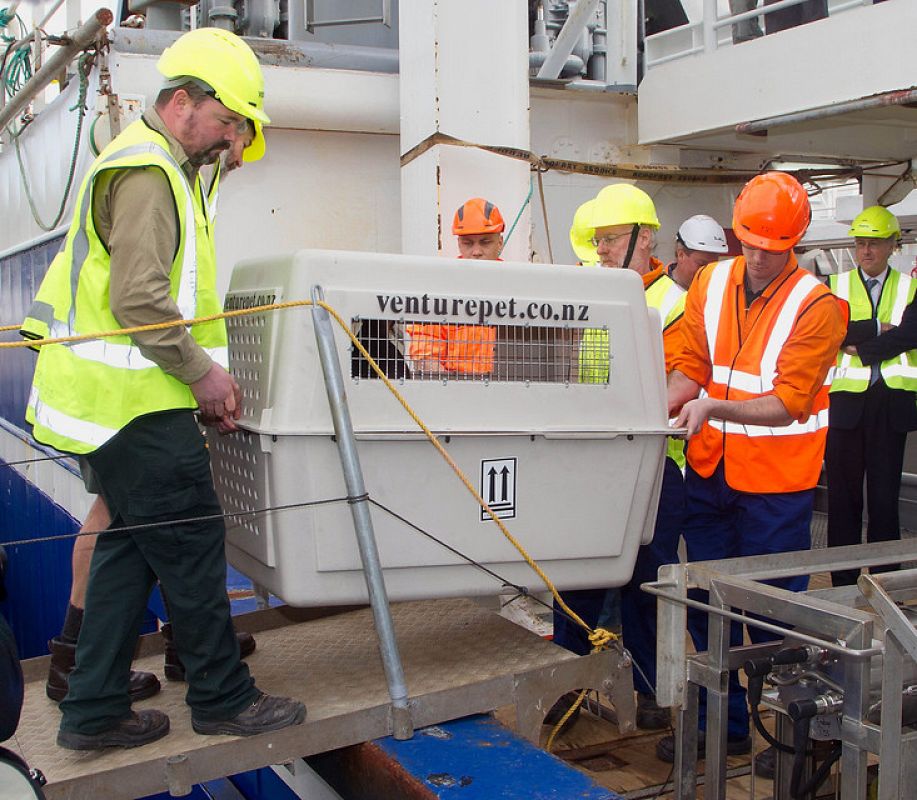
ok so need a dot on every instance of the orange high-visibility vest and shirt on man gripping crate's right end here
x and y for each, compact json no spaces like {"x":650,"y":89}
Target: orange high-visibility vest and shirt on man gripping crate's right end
{"x":785,"y":345}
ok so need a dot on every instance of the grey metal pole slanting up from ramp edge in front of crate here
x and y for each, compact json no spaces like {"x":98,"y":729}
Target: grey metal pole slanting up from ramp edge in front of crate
{"x":402,"y":725}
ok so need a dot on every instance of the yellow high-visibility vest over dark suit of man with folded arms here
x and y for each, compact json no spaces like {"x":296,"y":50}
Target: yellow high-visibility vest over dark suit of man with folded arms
{"x":897,"y":292}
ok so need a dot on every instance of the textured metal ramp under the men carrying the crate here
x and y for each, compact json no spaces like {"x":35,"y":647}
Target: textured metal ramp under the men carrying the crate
{"x":458,"y":659}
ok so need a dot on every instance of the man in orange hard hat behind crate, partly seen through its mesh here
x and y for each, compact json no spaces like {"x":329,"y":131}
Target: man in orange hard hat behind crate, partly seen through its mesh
{"x":461,"y":351}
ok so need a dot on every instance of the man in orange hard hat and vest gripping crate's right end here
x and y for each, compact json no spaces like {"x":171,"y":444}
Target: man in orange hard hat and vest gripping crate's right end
{"x":751,"y":387}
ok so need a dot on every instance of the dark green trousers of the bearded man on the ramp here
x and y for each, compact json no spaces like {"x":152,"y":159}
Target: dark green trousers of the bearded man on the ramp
{"x":157,"y":470}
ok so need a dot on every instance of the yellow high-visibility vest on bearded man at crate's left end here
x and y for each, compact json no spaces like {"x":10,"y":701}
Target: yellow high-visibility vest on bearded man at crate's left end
{"x":84,"y":393}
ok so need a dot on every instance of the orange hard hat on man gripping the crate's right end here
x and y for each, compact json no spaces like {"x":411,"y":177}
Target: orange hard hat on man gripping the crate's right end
{"x":772,"y":212}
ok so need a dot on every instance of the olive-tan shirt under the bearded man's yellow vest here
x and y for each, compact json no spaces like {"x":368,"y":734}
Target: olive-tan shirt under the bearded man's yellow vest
{"x":135,"y":216}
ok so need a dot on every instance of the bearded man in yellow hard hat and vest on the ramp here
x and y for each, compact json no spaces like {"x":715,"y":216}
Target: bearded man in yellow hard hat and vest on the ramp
{"x":140,"y":250}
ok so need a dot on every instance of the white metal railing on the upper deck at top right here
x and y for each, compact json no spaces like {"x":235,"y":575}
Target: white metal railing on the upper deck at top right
{"x":713,"y":31}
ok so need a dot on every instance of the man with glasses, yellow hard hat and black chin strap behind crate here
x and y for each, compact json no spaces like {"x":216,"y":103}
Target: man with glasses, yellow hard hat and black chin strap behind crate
{"x":616,"y":229}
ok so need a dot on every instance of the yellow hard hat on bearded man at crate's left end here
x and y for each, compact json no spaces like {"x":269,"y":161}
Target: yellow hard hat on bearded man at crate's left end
{"x":228,"y":65}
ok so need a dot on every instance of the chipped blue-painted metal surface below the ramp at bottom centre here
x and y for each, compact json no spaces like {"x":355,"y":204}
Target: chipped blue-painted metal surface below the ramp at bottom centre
{"x":476,"y":758}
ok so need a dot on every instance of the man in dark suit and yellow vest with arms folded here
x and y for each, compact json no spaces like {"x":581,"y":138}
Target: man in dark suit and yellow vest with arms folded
{"x":874,"y":390}
